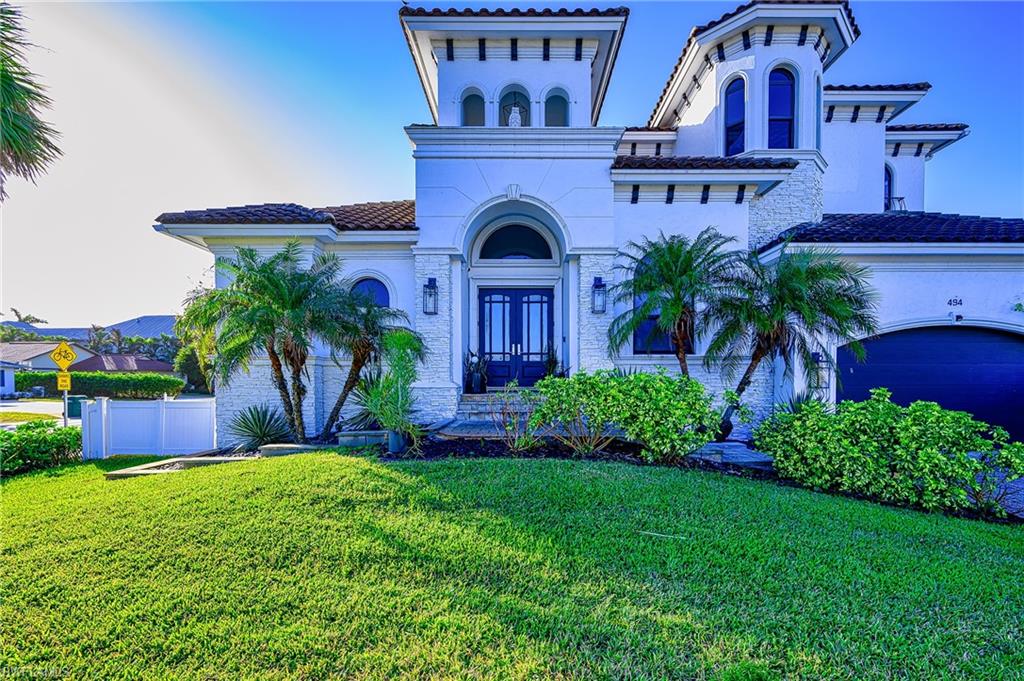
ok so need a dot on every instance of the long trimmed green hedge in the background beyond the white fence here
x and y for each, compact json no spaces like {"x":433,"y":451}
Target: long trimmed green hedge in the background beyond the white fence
{"x":136,"y":386}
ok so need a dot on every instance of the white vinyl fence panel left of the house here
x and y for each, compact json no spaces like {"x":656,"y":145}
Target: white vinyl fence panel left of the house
{"x":168,"y":428}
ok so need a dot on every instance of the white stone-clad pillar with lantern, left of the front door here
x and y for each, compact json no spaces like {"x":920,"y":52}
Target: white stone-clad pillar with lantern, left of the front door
{"x":437,"y":391}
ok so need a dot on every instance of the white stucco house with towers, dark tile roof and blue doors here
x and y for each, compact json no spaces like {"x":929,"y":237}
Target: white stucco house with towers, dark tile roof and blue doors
{"x":524,"y":201}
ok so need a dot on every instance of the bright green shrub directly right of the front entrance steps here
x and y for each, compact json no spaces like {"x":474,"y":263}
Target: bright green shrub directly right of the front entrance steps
{"x":578,"y":411}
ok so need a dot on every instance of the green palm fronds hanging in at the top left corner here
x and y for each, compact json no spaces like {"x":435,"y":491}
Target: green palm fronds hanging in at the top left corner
{"x":29,"y":144}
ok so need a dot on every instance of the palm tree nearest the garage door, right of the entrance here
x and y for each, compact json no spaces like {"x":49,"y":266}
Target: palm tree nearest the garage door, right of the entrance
{"x":789,"y":310}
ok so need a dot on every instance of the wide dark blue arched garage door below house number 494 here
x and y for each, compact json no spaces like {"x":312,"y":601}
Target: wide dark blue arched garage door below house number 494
{"x":980,"y":371}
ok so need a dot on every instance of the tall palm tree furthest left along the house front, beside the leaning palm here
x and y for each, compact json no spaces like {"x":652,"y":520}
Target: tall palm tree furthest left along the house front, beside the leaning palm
{"x":272,"y":307}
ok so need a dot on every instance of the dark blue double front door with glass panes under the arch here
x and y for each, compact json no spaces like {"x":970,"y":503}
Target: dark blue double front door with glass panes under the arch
{"x":517,"y":331}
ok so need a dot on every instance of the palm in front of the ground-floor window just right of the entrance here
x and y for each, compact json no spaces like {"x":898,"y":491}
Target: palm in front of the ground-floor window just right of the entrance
{"x":665,"y":280}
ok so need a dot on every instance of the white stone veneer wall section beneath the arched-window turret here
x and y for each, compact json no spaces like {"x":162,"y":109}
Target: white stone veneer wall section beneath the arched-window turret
{"x":798,"y":199}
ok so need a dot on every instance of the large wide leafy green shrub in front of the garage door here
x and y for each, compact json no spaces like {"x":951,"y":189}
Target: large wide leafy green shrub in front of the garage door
{"x":922,"y":455}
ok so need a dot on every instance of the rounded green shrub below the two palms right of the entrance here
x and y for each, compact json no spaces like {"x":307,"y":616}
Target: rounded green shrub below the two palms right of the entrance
{"x":670,"y":416}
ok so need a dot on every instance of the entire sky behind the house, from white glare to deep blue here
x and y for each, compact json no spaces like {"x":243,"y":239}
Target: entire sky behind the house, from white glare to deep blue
{"x":198,"y":105}
